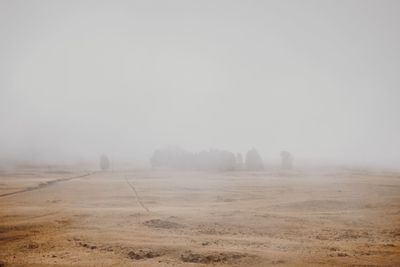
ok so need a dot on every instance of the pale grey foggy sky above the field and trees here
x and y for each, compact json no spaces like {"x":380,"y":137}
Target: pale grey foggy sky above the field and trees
{"x":318,"y":78}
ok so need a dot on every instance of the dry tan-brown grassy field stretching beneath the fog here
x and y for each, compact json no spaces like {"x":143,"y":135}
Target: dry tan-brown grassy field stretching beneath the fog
{"x":64,"y":217}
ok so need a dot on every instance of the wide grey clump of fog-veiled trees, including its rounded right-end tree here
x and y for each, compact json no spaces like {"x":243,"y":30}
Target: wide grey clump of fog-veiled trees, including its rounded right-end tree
{"x":213,"y":159}
